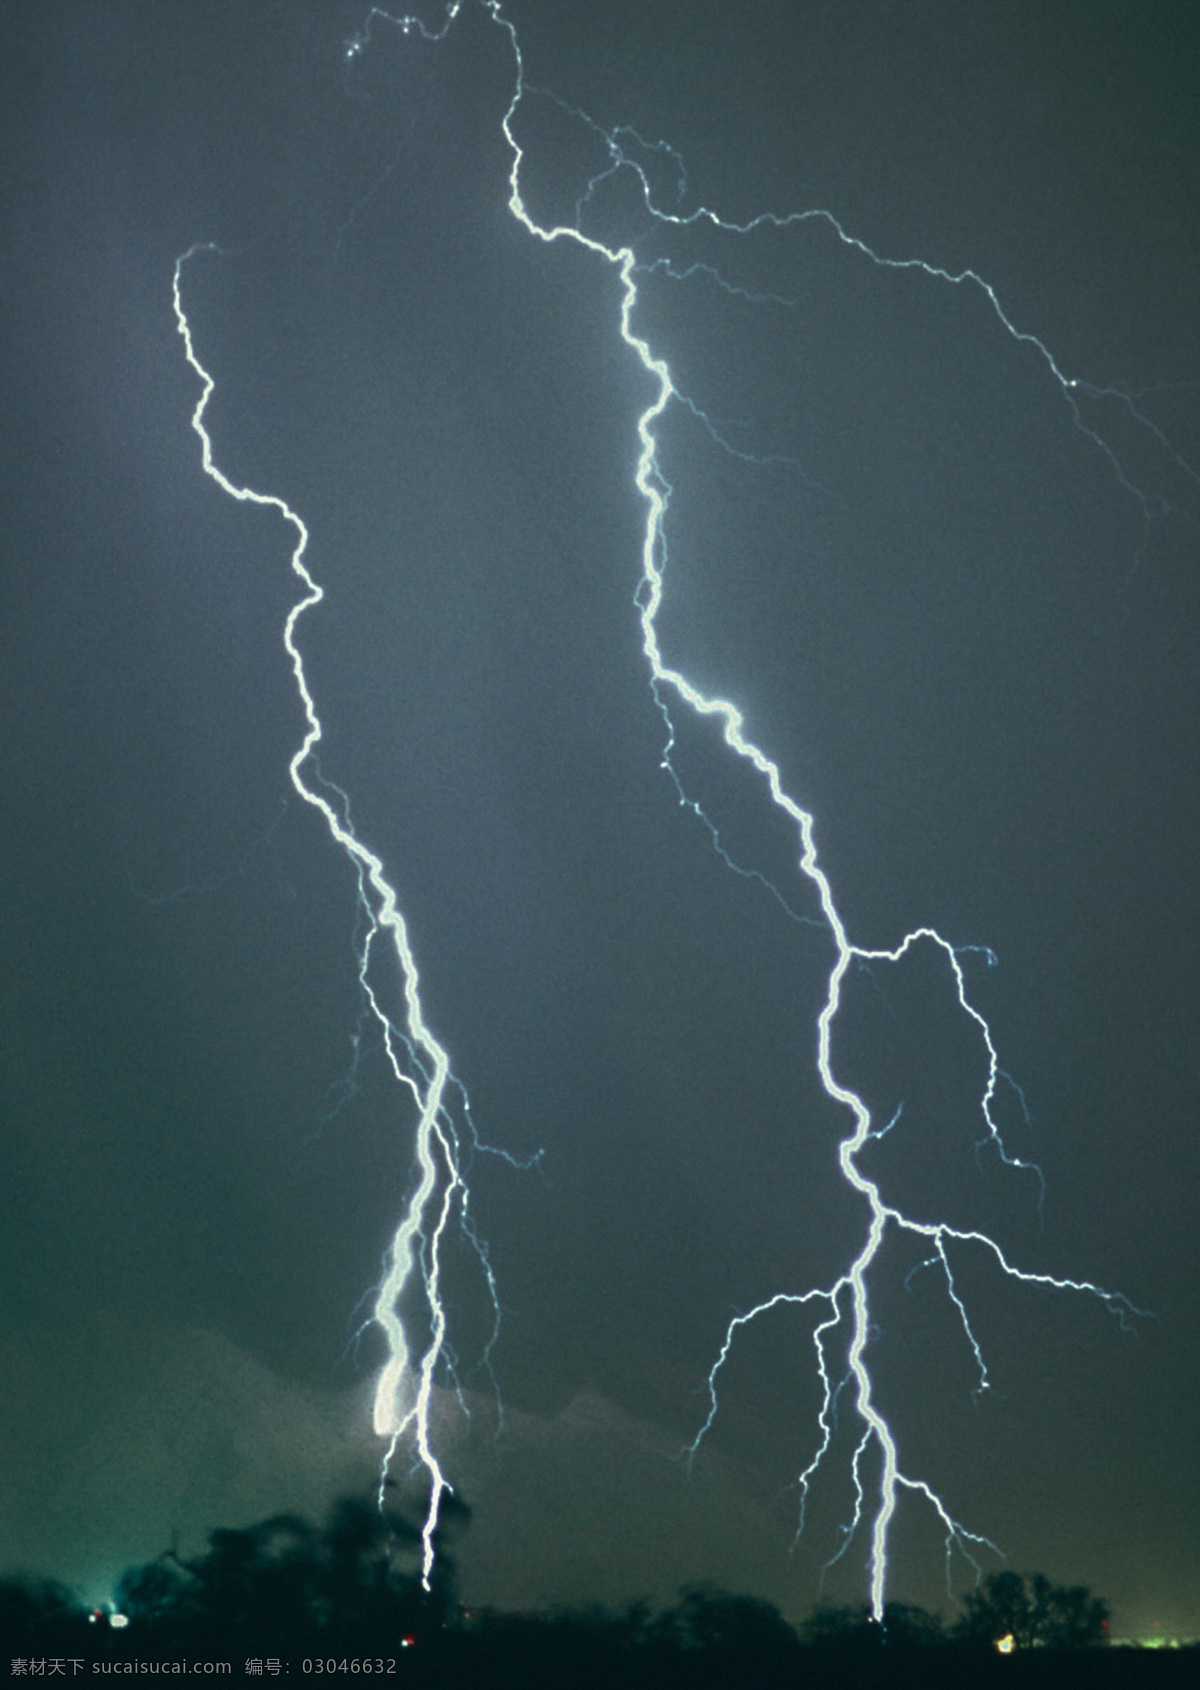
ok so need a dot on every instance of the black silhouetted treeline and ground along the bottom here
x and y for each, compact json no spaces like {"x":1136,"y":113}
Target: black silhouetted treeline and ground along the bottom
{"x":288,"y":1600}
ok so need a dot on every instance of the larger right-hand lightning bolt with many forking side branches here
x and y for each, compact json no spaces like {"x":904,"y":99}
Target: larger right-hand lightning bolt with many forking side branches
{"x":848,"y":1300}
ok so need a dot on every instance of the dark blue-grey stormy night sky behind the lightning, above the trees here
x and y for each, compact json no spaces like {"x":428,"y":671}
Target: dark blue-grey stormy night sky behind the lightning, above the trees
{"x":969,"y":648}
